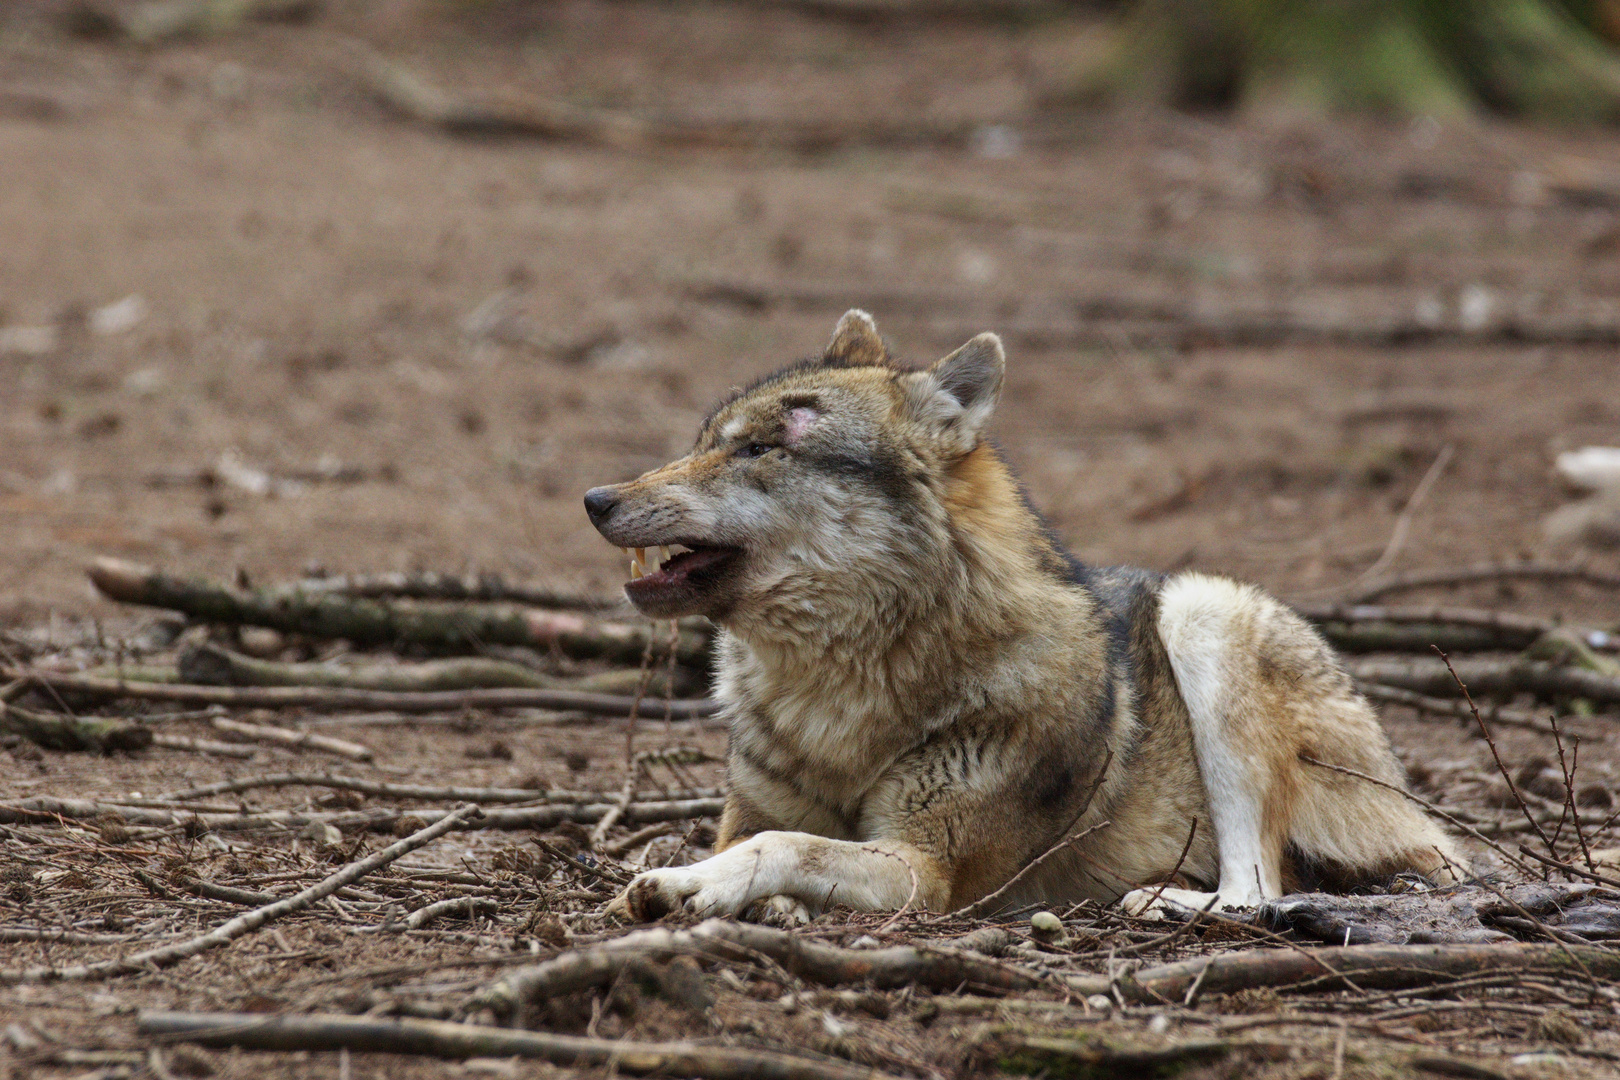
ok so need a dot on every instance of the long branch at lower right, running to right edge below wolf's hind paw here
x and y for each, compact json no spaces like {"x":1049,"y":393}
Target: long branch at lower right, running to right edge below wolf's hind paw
{"x":1347,"y":967}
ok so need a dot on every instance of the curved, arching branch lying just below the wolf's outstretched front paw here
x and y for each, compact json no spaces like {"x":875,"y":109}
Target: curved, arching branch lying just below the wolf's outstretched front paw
{"x":723,"y":940}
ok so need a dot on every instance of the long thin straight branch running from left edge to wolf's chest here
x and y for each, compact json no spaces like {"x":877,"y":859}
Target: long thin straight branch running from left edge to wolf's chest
{"x":367,"y":700}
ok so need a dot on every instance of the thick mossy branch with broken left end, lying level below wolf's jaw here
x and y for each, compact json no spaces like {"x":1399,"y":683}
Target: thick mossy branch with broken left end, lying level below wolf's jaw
{"x":443,"y":627}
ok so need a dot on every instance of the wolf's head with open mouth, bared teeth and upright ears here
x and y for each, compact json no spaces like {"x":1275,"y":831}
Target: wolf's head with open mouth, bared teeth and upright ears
{"x":822,"y":477}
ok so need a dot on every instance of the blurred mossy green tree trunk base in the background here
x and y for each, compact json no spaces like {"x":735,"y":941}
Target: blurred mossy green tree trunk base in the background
{"x":1435,"y":57}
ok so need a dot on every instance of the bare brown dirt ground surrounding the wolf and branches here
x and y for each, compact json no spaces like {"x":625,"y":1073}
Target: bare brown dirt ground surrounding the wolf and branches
{"x":360,"y":344}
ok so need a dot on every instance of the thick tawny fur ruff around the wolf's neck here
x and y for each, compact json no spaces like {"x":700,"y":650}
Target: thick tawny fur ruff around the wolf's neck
{"x":902,"y":634}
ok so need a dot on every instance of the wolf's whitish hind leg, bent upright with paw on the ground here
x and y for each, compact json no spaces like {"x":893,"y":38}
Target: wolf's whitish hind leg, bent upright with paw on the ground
{"x":1203,"y":626}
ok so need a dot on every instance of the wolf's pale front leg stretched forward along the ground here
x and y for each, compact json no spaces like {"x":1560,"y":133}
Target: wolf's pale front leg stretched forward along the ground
{"x":809,"y":869}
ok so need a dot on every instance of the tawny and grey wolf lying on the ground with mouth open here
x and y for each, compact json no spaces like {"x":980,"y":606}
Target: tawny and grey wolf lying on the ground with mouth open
{"x":927,"y":695}
